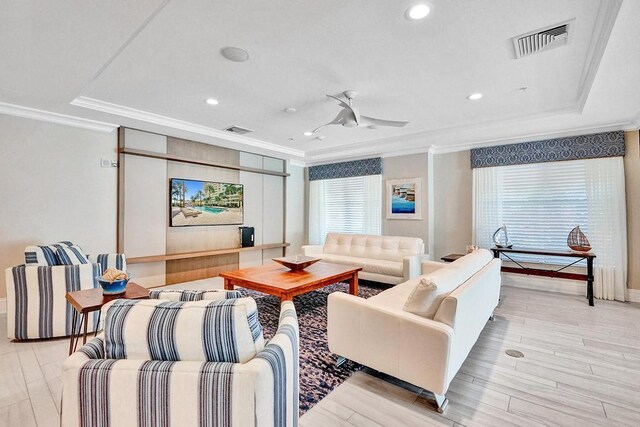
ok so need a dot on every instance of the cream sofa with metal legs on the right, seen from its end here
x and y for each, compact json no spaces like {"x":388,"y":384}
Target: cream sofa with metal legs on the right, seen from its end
{"x":379,"y":333}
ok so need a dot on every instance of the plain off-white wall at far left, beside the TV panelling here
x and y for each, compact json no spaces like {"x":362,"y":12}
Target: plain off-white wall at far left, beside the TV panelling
{"x":53,"y":188}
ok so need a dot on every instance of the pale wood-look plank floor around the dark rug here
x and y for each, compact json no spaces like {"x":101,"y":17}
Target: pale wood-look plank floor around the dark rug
{"x":581,"y":367}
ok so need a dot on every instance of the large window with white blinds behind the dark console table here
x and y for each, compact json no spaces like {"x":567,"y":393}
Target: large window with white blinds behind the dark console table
{"x":539,"y":203}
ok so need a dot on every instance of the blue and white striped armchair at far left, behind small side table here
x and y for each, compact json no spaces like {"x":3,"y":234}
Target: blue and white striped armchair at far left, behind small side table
{"x":36,"y":304}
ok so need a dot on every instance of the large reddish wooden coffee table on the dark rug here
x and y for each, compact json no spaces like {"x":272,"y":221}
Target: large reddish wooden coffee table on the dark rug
{"x":283,"y":283}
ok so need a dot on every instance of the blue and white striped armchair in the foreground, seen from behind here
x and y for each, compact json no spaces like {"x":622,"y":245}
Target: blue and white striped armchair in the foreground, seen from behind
{"x":184,"y":363}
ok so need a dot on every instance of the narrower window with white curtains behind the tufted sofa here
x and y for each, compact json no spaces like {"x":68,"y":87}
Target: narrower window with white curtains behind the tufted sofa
{"x":345,"y":205}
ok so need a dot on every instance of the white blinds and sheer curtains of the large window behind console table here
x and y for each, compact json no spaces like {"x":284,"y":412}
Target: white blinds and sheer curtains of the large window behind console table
{"x":540,"y":203}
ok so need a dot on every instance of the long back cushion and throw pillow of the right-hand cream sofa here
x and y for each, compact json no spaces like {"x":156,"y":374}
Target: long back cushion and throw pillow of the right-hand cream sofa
{"x":429,"y":293}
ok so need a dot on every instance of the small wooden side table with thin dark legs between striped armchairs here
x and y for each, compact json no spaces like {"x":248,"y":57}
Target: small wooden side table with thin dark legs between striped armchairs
{"x":88,"y":300}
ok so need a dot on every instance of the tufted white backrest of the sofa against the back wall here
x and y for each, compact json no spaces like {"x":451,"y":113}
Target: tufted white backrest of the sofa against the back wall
{"x":391,"y":248}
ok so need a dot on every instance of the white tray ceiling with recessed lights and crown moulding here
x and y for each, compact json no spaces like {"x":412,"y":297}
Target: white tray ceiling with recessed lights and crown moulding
{"x":152,"y":63}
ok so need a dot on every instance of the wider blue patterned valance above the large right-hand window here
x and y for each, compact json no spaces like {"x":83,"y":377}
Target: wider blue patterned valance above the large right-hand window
{"x":607,"y":144}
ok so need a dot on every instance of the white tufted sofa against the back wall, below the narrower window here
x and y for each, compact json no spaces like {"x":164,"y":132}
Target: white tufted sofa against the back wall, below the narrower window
{"x":386,"y":259}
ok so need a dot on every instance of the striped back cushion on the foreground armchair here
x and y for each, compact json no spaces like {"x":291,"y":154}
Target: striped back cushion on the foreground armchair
{"x":214,"y":331}
